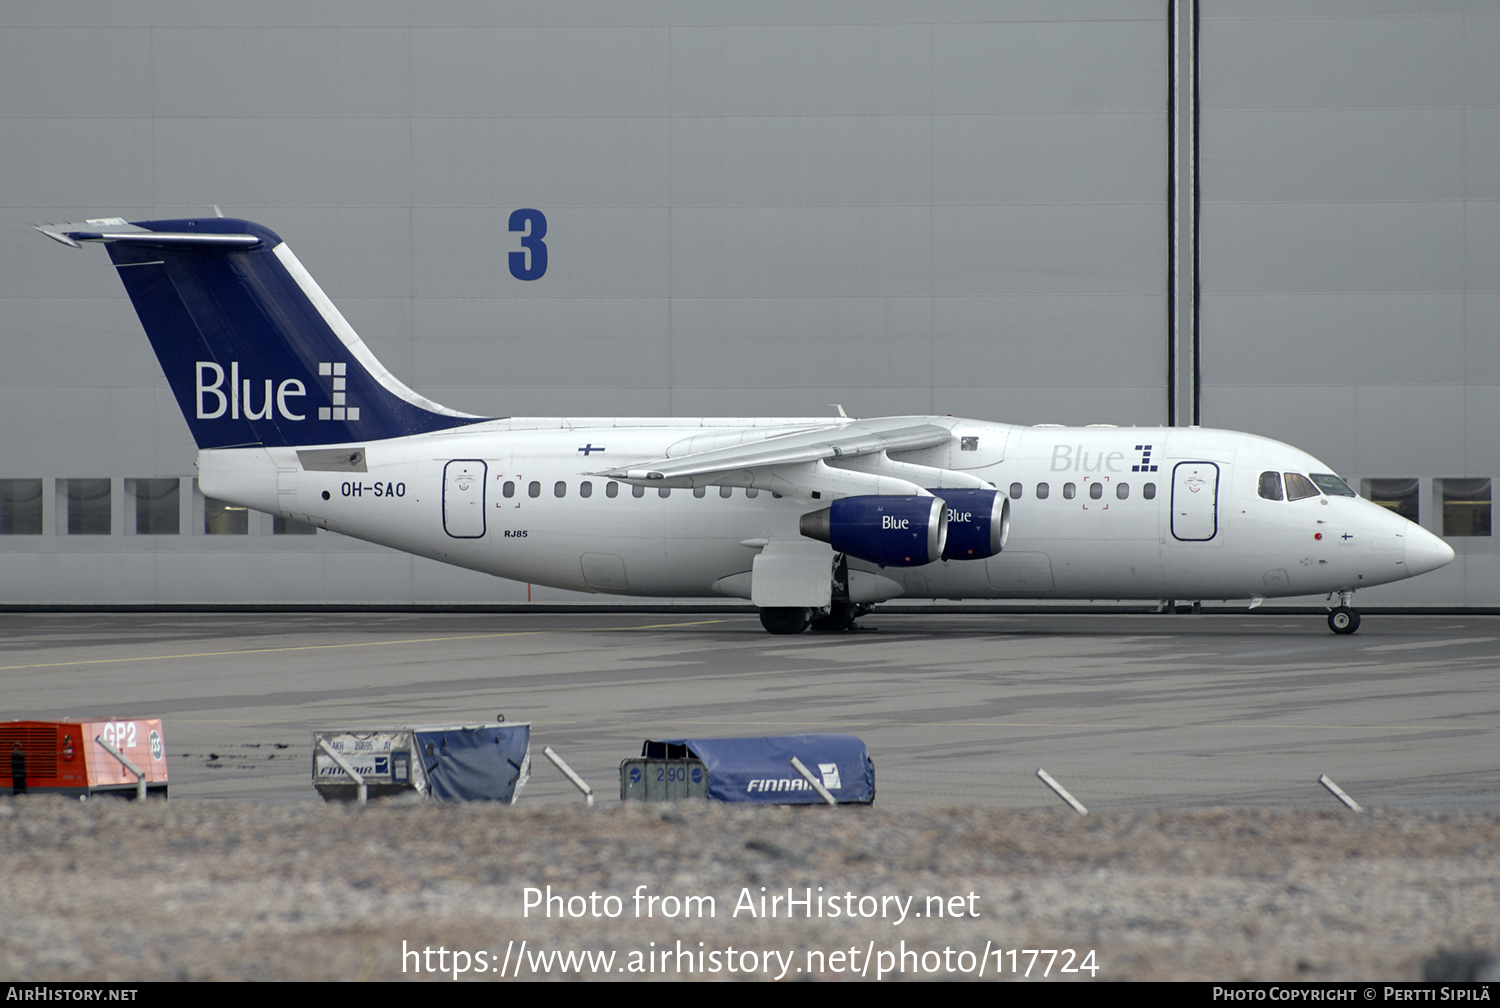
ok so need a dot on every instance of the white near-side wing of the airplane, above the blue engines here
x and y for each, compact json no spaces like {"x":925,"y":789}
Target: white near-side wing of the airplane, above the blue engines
{"x":835,"y":461}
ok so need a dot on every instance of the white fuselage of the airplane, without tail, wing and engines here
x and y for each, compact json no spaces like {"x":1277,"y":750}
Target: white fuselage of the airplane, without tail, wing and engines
{"x":1189,"y":524}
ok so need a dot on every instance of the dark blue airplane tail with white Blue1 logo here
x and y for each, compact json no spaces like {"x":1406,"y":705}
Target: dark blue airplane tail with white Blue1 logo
{"x":253,"y":349}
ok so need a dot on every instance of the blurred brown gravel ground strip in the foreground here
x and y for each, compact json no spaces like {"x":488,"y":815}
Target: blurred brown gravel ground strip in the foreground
{"x":116,"y":892}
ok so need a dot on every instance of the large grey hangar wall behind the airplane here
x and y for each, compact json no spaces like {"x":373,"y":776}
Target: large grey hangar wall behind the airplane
{"x":758,"y":211}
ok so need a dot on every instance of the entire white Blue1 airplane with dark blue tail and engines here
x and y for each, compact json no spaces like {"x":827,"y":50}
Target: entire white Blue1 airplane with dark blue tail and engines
{"x":811,"y":518}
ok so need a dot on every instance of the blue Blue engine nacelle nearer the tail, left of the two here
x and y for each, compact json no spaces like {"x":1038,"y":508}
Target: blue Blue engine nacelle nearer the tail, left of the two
{"x":893,"y":532}
